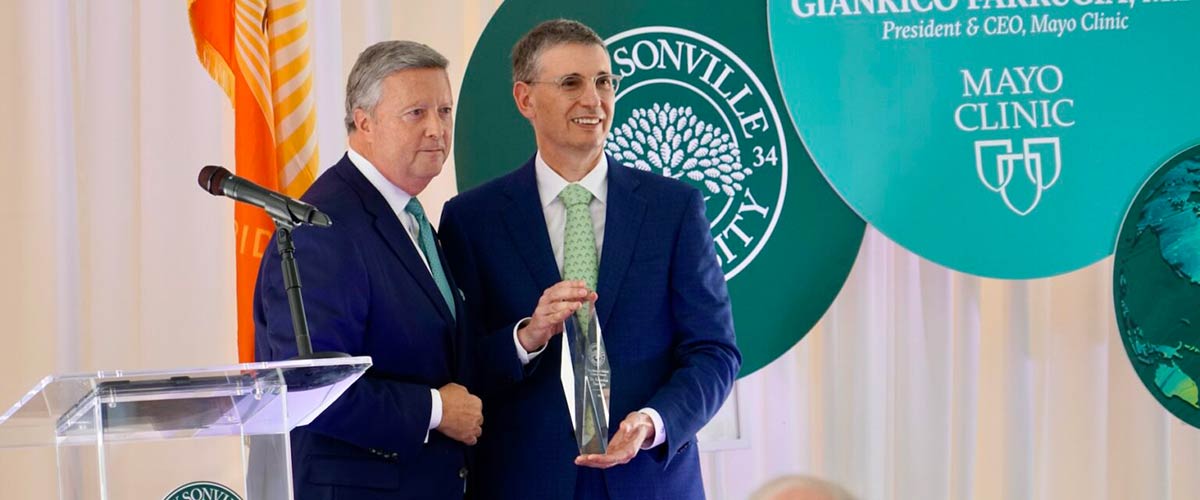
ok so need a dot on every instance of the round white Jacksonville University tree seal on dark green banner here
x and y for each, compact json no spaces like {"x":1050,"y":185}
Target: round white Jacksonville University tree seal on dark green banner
{"x":692,"y":110}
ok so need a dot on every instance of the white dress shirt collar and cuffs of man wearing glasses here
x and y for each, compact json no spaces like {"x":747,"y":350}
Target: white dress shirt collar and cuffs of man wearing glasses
{"x":550,"y":185}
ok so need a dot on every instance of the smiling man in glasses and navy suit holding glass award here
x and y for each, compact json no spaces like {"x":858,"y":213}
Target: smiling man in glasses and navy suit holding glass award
{"x":655,"y":279}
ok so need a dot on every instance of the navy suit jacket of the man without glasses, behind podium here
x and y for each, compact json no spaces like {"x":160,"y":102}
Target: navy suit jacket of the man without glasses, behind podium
{"x":368,"y":293}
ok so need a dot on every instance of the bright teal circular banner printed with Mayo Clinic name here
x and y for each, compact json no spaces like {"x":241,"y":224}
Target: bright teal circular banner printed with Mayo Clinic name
{"x":1003,"y":138}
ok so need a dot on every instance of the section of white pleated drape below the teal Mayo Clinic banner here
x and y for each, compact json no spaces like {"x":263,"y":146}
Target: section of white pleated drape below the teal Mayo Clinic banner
{"x":922,"y":383}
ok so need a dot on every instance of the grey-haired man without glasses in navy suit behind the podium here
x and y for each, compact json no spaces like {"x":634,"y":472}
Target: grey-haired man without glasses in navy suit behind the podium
{"x":375,"y":286}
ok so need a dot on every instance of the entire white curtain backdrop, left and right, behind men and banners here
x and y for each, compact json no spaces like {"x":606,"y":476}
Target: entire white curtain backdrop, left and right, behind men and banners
{"x":919,"y":384}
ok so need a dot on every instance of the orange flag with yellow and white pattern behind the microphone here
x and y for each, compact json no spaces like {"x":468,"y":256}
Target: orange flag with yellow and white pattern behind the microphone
{"x":259,"y":52}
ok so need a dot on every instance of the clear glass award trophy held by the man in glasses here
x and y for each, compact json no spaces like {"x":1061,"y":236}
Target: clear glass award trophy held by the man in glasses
{"x":590,"y":371}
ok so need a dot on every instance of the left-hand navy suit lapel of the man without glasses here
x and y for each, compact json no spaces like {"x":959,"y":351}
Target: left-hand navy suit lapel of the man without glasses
{"x":394,"y":234}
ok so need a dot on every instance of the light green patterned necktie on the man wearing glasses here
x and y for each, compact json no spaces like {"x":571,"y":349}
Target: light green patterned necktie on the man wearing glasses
{"x":579,"y":242}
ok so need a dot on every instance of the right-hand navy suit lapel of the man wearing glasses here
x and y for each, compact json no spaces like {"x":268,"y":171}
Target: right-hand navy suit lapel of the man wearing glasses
{"x":623,"y":221}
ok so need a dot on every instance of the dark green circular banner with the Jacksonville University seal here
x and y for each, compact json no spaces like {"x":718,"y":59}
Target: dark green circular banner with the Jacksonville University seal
{"x":698,"y":103}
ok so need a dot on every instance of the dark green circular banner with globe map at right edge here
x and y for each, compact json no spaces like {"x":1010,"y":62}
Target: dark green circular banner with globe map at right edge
{"x":1156,"y":285}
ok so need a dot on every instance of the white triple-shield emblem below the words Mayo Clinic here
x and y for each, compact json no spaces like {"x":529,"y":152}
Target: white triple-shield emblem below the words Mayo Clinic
{"x":1031,"y":161}
